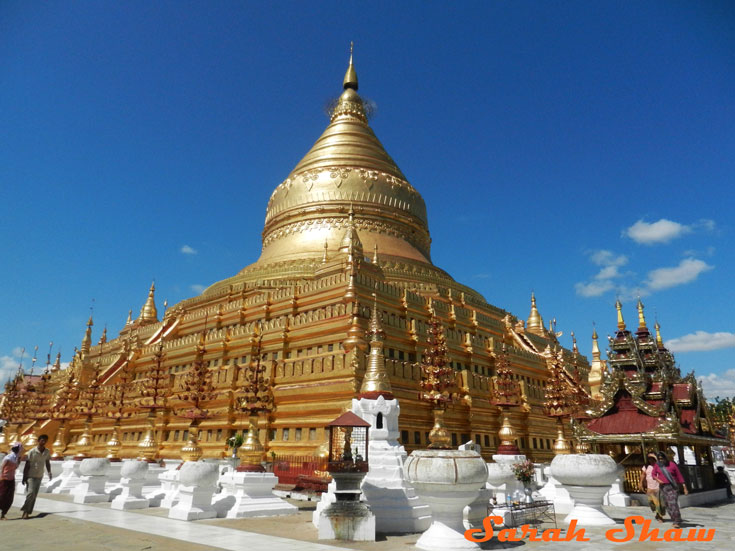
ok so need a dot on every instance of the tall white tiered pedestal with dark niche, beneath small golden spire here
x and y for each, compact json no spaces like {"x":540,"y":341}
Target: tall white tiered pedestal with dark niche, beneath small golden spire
{"x":393,"y":501}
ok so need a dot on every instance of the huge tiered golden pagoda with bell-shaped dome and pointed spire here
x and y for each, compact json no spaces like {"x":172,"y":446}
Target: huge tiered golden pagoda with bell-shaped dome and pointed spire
{"x":301,"y":313}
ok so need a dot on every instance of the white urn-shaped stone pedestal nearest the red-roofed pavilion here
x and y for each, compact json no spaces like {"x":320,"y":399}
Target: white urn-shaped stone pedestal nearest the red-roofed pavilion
{"x":586,"y":477}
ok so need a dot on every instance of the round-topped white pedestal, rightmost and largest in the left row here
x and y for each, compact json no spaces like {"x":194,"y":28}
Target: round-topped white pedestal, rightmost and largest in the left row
{"x":196,"y":488}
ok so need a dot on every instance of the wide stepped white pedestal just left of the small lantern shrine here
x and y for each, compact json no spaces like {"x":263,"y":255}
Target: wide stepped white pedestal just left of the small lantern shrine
{"x":250,"y":494}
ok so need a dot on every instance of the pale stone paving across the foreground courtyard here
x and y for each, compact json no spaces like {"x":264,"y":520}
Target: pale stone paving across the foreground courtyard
{"x":97,"y":527}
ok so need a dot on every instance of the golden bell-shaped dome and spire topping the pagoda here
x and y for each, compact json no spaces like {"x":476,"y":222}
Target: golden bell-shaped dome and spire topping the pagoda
{"x":347,"y":168}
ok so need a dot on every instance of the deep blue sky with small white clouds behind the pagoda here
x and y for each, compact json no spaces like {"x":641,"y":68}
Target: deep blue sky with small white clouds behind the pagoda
{"x":582,"y":150}
